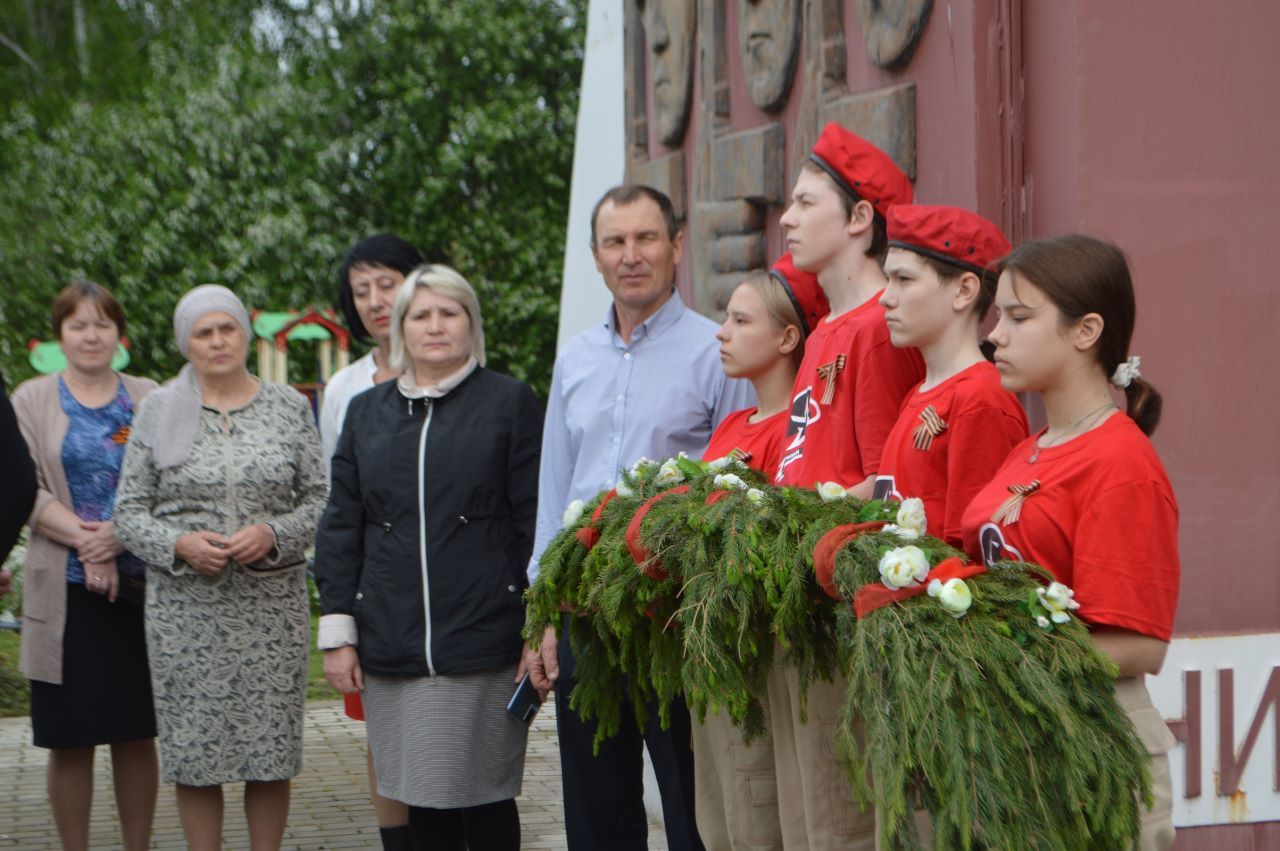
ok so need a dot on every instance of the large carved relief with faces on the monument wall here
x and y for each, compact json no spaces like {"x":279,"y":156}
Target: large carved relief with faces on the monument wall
{"x":737,"y":177}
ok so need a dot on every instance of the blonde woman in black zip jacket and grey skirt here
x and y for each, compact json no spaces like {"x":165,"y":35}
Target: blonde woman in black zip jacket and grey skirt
{"x":420,"y":562}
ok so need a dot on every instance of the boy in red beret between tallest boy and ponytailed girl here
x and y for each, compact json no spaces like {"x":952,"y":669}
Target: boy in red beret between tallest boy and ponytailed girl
{"x":958,"y":425}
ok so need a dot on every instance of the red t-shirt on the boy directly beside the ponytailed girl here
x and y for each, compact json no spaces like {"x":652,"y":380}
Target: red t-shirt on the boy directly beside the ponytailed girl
{"x":947,"y":445}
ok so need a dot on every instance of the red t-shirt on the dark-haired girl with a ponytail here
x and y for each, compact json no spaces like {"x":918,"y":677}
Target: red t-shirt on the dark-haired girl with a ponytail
{"x":1104,"y":521}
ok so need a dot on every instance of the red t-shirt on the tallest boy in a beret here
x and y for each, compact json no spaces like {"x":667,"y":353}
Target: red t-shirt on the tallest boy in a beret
{"x":845,"y":400}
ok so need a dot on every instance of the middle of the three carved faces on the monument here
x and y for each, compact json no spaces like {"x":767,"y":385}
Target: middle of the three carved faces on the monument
{"x":769,"y":38}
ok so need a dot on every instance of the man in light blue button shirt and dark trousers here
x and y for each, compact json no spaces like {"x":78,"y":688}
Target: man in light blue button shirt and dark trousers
{"x":647,"y":382}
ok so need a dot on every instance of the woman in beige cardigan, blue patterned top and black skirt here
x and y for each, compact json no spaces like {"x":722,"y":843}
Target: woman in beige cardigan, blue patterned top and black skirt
{"x":84,"y":646}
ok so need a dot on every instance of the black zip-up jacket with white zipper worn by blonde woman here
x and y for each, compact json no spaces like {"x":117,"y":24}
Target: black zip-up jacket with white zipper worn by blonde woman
{"x":461,"y":469}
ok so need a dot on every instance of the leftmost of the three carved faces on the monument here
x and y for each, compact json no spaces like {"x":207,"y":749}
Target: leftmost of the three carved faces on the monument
{"x":669,"y":30}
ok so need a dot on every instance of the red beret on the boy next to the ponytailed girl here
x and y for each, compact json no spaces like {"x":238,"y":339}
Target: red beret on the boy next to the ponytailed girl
{"x":950,"y":235}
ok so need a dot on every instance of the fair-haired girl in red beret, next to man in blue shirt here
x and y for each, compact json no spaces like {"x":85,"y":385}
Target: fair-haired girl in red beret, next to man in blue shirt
{"x":762,"y":341}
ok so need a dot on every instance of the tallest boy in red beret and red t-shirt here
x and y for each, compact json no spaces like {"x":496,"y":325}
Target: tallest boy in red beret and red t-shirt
{"x":845,"y":400}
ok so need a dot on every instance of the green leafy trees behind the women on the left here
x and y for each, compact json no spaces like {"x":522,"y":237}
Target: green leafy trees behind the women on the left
{"x":250,"y":144}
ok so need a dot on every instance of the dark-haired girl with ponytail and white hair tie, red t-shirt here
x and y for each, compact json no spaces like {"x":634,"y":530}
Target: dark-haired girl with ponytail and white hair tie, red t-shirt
{"x":1087,"y":497}
